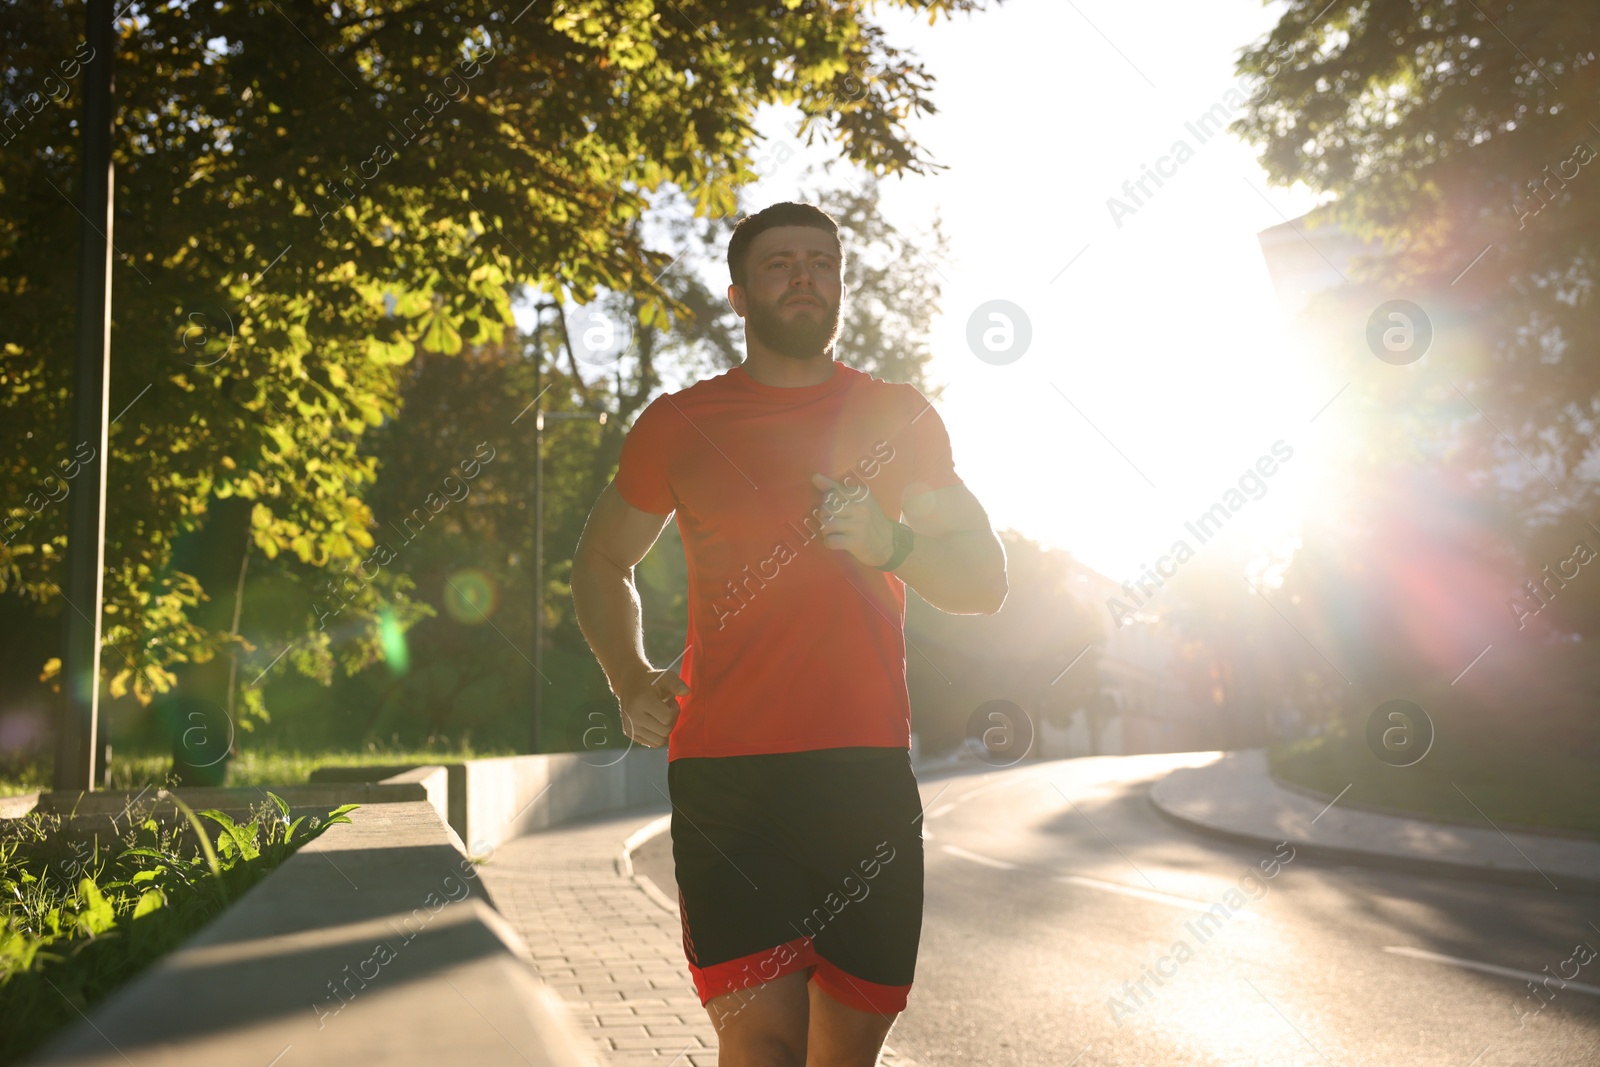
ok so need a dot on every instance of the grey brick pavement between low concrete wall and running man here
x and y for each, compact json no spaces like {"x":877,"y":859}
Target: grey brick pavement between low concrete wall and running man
{"x":606,"y":946}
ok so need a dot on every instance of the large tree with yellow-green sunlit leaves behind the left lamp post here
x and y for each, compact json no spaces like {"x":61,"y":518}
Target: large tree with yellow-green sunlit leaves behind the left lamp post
{"x":308,"y":196}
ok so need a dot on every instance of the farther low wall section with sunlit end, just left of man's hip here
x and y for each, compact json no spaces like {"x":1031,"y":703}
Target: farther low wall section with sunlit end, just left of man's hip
{"x":495,"y":801}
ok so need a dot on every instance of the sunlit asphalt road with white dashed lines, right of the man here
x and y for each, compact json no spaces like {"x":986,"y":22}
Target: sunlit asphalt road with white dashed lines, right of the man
{"x":1054,"y":889}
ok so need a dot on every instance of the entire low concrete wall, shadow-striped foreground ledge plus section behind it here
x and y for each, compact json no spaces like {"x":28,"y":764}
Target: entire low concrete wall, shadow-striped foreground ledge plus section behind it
{"x":377,"y":941}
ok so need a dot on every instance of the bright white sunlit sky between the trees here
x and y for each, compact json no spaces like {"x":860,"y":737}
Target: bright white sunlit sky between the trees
{"x":1158,"y":372}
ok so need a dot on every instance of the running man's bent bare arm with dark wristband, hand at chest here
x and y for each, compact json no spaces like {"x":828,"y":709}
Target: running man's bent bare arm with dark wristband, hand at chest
{"x":956,"y":564}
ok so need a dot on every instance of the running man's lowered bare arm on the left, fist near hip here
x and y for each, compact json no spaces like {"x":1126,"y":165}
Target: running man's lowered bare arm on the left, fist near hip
{"x":606,"y":599}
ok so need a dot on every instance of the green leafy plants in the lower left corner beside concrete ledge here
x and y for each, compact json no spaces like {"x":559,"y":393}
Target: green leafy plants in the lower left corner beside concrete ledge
{"x":82,"y":917}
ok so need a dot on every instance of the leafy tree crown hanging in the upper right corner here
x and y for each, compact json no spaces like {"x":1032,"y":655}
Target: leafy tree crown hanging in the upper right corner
{"x":1455,"y":137}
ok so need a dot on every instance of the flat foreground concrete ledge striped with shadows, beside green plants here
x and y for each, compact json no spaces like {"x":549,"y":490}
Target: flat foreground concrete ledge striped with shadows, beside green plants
{"x":372,"y":945}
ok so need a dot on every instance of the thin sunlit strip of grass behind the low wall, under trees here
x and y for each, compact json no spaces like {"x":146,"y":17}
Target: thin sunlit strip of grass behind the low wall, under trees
{"x":250,"y":767}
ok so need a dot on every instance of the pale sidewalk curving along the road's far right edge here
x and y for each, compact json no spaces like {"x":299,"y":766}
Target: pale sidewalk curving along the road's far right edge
{"x":1238,"y":799}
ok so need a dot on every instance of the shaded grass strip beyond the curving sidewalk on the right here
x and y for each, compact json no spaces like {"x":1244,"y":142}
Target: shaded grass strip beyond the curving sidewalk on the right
{"x":1478,"y":780}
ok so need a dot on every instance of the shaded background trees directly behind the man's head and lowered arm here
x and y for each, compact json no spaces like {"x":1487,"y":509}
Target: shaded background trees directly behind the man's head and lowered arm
{"x":470,"y":668}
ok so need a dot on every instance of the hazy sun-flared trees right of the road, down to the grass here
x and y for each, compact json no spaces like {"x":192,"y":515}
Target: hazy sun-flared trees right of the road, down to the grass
{"x":1462,"y":137}
